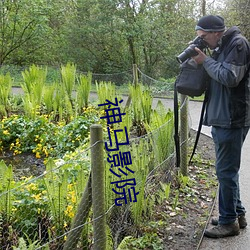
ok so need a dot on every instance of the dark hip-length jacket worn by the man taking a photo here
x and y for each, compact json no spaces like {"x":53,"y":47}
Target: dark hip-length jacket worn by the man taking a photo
{"x":229,"y":90}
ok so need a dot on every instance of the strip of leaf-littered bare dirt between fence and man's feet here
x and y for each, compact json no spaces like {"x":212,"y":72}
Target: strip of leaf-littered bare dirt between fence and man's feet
{"x":187,"y":223}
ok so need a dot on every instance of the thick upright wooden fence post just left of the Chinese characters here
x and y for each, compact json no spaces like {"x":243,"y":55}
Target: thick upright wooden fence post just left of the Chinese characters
{"x":98,"y":187}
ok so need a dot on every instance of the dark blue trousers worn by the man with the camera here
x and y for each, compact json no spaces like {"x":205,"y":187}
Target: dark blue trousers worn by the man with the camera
{"x":228,"y":145}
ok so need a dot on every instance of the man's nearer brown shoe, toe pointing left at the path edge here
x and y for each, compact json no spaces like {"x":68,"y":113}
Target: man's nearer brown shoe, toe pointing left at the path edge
{"x":221,"y":231}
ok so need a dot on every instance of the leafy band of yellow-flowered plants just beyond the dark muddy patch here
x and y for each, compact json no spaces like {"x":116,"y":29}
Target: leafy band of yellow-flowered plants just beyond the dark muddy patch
{"x":43,"y":137}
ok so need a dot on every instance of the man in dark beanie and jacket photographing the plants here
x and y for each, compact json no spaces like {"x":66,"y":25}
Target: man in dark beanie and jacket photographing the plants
{"x":228,"y":112}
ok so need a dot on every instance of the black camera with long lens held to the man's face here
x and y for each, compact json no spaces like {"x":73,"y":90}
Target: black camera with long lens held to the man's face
{"x":190,"y":51}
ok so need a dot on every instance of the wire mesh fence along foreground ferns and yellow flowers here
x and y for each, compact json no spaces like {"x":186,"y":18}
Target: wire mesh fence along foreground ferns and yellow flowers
{"x":57,"y":209}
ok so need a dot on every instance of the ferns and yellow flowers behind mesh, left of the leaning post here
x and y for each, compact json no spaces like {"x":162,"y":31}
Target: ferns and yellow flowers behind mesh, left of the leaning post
{"x":50,"y":199}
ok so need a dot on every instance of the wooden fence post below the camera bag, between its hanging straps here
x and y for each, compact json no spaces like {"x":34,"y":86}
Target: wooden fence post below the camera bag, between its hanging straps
{"x":184,"y":135}
